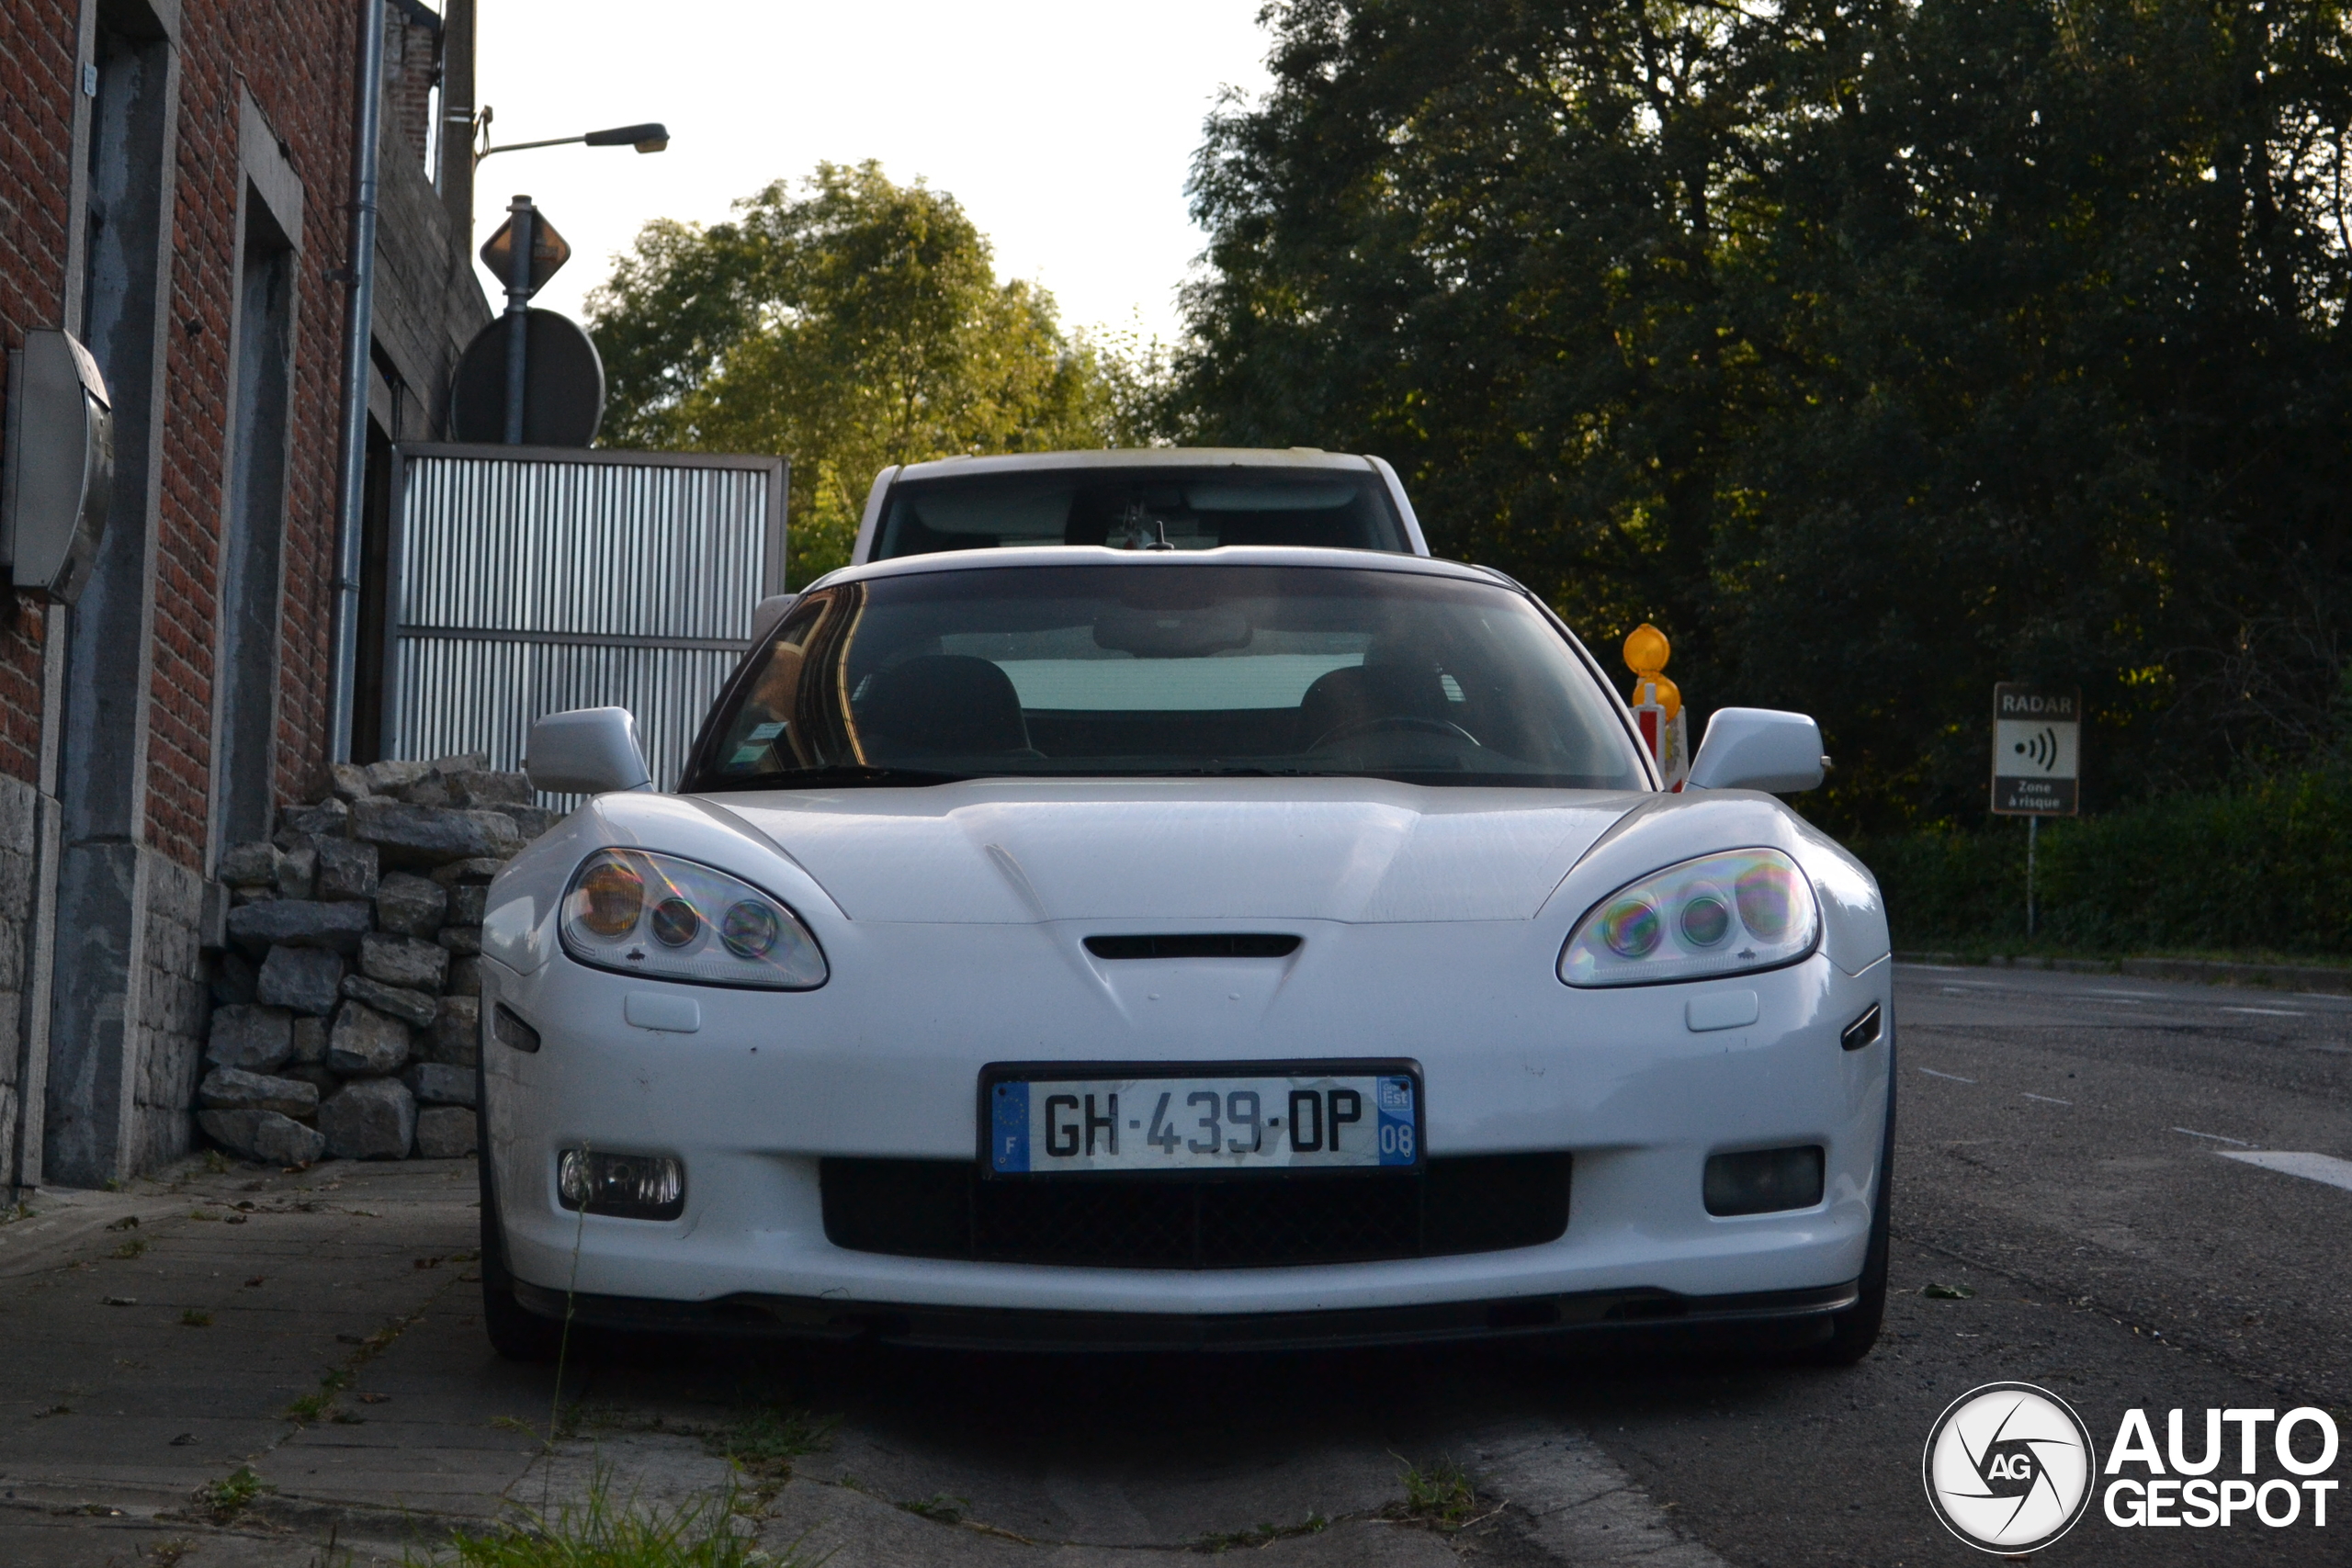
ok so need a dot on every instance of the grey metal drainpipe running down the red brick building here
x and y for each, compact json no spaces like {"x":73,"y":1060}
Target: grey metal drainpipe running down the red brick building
{"x":359,"y":335}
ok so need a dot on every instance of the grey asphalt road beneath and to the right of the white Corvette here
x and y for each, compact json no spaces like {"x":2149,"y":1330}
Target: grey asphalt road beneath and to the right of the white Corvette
{"x":2062,"y":1160}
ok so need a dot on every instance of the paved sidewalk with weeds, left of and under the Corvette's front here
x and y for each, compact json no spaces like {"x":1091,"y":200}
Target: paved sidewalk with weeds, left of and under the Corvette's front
{"x":319,"y":1334}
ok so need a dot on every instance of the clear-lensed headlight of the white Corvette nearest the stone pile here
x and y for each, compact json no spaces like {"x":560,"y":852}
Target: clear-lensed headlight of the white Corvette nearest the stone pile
{"x":653,"y":916}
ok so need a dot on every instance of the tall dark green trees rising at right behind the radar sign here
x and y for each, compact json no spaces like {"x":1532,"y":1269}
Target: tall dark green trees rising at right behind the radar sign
{"x":1876,"y":351}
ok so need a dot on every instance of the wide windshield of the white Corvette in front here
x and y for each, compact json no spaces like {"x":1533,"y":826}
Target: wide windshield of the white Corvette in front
{"x":1163,"y":669}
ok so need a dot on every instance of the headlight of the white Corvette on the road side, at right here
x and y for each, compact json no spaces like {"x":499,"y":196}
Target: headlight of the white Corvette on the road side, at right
{"x":1718,"y":916}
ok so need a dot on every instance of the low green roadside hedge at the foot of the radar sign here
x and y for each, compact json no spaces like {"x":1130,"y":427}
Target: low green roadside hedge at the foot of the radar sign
{"x":2250,"y":871}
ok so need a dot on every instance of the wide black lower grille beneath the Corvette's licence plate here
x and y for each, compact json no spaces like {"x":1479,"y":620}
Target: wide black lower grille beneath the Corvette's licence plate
{"x":944,"y":1209}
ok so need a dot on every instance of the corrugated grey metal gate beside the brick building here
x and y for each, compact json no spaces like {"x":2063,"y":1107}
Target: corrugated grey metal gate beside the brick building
{"x":535,"y":579}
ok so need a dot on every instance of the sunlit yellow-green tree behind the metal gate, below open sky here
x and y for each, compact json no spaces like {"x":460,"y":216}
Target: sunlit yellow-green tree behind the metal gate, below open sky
{"x":850,"y":323}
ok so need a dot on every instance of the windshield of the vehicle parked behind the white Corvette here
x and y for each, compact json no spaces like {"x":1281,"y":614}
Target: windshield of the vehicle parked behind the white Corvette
{"x":1144,"y":509}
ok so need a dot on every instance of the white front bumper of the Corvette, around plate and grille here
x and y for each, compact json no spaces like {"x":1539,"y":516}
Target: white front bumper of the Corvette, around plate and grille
{"x":777,"y":1083}
